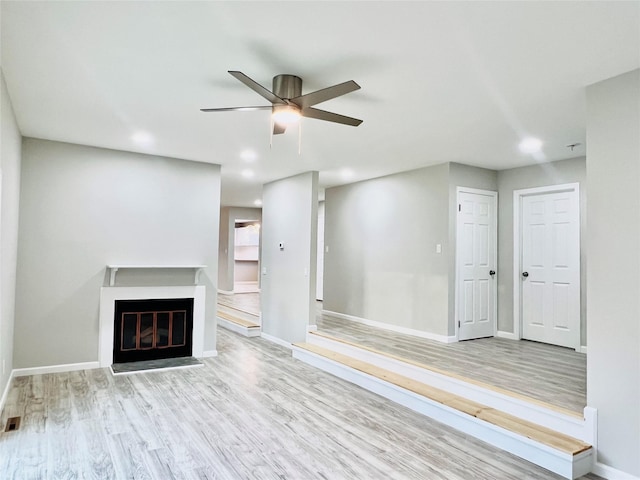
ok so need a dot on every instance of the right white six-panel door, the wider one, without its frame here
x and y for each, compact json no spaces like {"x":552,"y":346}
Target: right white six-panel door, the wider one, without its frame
{"x":550,"y":268}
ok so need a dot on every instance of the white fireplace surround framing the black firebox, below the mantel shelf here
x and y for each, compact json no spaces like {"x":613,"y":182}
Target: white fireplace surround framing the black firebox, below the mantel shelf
{"x":108,"y":296}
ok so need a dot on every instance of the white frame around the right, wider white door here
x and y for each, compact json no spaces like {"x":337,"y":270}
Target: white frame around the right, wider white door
{"x":518,"y":196}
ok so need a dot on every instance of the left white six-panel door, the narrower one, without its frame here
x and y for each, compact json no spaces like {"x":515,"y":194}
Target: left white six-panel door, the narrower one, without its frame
{"x":476,"y":249}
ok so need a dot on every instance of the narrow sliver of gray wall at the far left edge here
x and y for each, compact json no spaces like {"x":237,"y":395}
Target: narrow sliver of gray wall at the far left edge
{"x":10,"y":156}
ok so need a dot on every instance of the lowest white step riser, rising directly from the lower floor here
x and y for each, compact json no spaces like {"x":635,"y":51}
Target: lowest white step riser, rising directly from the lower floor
{"x":568,"y":466}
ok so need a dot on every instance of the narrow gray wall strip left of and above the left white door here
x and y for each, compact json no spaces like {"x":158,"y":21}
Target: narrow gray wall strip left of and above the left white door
{"x":463,"y":176}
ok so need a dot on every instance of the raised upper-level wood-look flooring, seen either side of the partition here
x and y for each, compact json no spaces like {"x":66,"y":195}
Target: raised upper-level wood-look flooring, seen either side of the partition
{"x":548,"y":373}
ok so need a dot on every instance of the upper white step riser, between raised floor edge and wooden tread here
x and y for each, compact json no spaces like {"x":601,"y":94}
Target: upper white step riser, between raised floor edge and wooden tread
{"x":579,"y":428}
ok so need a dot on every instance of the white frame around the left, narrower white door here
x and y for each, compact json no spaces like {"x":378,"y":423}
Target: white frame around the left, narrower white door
{"x":458,"y":276}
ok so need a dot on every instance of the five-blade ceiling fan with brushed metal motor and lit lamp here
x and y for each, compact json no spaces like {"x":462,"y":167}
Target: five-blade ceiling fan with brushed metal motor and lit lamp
{"x":288,"y":104}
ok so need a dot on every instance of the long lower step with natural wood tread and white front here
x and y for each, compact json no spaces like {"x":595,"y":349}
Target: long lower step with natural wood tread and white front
{"x":558,"y":452}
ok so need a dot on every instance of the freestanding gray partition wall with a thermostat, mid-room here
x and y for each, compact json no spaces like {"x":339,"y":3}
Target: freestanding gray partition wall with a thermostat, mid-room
{"x":289,"y":216}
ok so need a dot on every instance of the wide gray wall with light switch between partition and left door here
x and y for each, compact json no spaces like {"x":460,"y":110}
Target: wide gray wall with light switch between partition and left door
{"x":382,"y":264}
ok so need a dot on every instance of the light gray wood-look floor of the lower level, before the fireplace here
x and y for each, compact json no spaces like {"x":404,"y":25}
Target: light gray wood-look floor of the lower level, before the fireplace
{"x":253,"y":412}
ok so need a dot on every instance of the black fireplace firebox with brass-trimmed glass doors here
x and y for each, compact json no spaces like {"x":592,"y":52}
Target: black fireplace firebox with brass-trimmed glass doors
{"x":152,"y":329}
